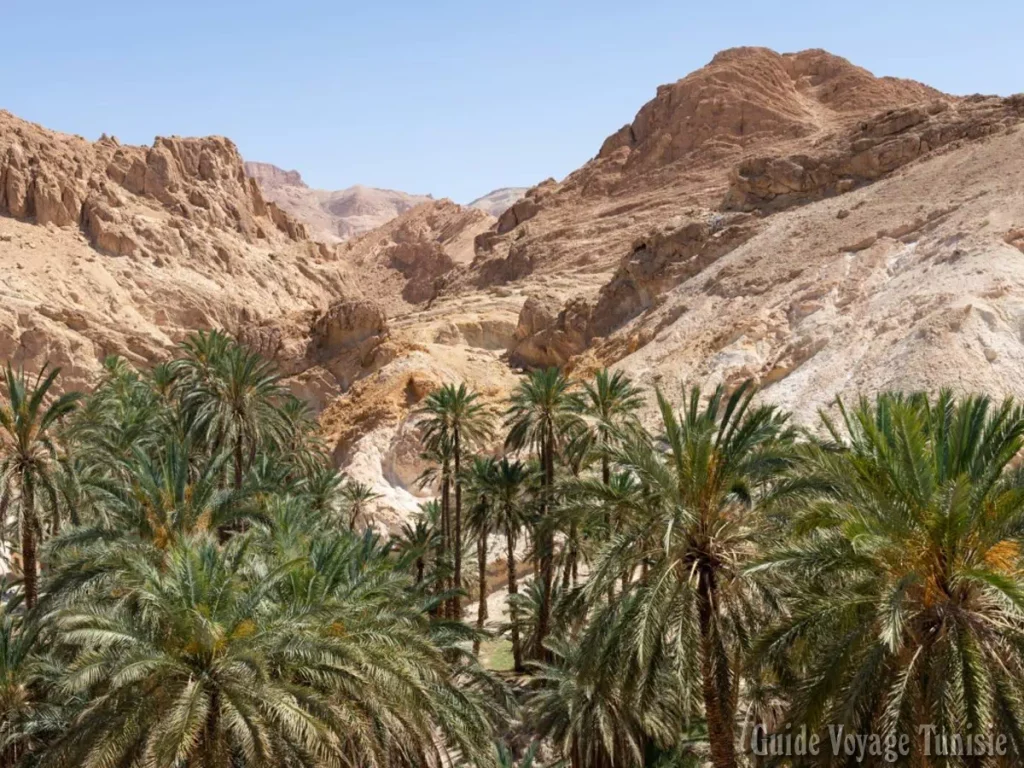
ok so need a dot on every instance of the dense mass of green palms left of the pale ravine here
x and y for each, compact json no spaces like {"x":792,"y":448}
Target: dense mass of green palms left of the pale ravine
{"x":209,"y":600}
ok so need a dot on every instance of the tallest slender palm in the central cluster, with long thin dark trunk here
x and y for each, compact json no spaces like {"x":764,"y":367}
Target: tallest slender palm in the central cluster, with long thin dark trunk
{"x":542,"y":413}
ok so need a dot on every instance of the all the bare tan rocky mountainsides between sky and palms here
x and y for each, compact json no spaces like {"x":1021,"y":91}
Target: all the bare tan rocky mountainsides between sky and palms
{"x":789,"y":219}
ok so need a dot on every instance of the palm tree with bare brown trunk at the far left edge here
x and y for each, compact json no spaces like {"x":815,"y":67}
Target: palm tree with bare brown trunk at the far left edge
{"x":28,"y":456}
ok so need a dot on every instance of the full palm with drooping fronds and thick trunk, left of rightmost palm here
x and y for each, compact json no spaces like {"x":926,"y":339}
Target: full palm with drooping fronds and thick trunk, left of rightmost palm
{"x":698,"y":502}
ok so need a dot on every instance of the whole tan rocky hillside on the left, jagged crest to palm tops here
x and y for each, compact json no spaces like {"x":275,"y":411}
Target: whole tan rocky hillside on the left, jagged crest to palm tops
{"x":110,"y":249}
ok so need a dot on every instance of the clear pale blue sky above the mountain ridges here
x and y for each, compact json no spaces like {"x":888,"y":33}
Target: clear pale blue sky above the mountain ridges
{"x":453,"y":99}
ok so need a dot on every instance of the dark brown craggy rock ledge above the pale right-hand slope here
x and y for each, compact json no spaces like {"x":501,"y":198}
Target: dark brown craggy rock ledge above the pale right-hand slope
{"x":874,"y":149}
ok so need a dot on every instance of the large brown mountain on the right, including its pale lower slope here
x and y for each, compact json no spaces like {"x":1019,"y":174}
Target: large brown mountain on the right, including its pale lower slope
{"x":787,"y":219}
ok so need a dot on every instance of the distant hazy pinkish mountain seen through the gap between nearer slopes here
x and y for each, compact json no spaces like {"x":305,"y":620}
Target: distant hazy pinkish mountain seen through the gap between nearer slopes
{"x":331,"y":217}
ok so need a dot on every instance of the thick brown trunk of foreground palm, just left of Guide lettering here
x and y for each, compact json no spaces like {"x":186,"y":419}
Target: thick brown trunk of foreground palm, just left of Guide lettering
{"x":717,"y":688}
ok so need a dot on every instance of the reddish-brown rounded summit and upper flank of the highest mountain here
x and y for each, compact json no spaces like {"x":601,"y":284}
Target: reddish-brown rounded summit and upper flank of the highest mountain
{"x":679,"y":152}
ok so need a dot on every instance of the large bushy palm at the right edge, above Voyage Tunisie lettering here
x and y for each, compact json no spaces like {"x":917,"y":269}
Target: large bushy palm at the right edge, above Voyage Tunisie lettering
{"x":907,"y":576}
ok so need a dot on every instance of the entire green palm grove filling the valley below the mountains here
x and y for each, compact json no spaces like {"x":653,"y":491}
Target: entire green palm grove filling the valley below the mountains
{"x":202,"y":588}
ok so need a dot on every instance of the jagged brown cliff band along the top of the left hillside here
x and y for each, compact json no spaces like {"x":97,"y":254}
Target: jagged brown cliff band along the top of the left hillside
{"x":199,"y":183}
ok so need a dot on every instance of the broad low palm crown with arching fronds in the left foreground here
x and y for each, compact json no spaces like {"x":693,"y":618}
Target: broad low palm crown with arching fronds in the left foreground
{"x":215,"y":660}
